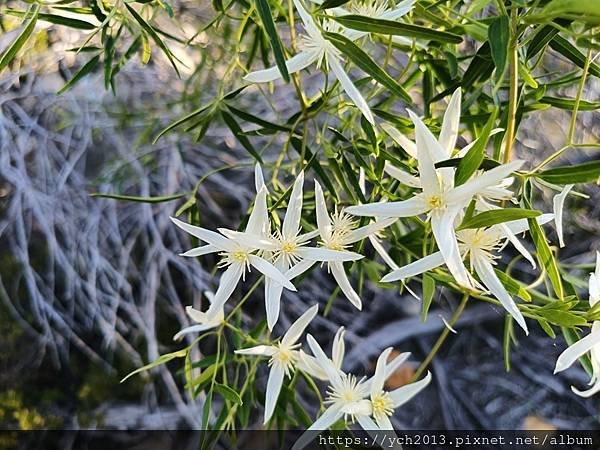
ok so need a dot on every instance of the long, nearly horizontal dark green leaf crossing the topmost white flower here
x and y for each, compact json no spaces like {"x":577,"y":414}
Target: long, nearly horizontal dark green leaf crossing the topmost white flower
{"x":394,"y":28}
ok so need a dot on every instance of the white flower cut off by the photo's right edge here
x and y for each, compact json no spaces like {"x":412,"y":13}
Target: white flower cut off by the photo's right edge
{"x":590,"y":343}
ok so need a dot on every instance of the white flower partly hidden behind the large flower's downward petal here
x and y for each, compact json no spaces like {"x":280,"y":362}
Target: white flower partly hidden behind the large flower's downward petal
{"x":479,"y":244}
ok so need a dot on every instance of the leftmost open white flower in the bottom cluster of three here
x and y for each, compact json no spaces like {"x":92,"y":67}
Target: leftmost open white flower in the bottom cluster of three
{"x":284,"y":358}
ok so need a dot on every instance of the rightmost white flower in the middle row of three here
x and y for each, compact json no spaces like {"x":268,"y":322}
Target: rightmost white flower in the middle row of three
{"x":337,"y":233}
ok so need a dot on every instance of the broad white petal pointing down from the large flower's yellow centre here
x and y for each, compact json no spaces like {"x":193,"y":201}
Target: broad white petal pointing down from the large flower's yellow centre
{"x":442,"y":225}
